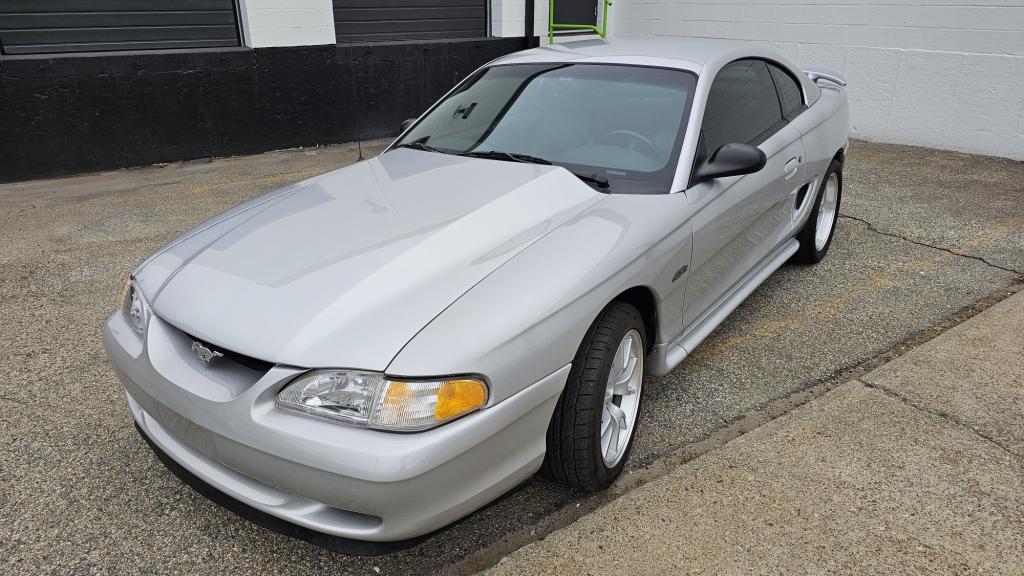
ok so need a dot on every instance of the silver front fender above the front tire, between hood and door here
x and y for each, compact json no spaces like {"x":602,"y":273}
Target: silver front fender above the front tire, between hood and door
{"x":528,"y":318}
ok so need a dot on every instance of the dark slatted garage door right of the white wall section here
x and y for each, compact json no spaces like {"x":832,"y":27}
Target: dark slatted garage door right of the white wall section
{"x":372,"y":21}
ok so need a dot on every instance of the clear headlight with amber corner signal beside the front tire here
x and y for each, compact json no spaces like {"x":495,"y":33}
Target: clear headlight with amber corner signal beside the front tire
{"x":370,"y":400}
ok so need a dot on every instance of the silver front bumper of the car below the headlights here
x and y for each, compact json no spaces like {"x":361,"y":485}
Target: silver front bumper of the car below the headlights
{"x":220,"y":424}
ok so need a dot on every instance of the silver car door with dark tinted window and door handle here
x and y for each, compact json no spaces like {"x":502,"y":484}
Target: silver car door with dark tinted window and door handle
{"x":738,"y":220}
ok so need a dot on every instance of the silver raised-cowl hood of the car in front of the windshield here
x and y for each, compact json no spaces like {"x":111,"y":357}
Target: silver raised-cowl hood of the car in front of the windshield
{"x":346,"y":270}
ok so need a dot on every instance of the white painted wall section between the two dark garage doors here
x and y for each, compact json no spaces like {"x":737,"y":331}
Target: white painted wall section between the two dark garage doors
{"x":287,"y":23}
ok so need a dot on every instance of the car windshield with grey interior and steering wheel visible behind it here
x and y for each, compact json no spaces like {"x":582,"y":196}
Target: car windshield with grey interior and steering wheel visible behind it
{"x":619,"y":127}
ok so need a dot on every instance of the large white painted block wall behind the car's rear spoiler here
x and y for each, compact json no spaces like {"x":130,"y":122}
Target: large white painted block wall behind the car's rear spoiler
{"x":946,"y":74}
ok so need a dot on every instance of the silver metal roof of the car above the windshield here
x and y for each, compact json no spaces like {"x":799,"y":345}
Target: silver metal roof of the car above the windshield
{"x":686,"y":54}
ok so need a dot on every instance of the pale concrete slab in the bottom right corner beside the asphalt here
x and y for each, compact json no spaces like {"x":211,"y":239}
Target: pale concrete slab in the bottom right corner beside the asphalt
{"x":917,"y":468}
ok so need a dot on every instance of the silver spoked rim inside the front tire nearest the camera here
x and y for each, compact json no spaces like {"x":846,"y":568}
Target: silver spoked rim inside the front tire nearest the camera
{"x":622,"y":399}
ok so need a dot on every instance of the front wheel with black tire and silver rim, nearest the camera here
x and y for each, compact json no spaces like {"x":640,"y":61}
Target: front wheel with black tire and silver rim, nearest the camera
{"x":591,"y":432}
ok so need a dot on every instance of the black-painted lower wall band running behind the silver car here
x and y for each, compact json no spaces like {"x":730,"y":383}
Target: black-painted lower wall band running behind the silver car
{"x":71,"y":114}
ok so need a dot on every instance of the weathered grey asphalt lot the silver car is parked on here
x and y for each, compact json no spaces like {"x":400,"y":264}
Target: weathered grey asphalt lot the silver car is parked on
{"x":927,"y":239}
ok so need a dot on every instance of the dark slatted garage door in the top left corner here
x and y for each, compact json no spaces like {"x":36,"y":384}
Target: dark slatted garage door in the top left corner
{"x":32,"y":27}
